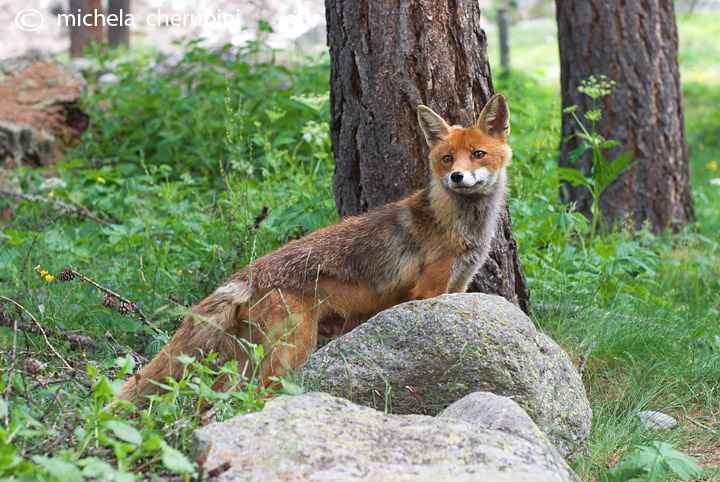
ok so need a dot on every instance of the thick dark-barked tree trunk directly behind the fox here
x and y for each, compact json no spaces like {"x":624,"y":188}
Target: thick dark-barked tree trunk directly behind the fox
{"x":387,"y":57}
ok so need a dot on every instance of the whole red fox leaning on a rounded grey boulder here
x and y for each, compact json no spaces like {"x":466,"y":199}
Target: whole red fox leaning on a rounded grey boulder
{"x":334,"y":279}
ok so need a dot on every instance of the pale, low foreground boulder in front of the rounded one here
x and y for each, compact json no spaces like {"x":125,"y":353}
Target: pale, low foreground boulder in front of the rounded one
{"x":318,"y":437}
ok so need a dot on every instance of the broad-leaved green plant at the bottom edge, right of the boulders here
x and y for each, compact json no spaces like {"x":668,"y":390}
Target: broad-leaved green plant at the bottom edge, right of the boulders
{"x":653,"y":463}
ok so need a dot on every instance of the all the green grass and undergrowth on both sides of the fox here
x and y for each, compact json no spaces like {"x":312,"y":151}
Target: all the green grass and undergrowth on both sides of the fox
{"x":178,"y":167}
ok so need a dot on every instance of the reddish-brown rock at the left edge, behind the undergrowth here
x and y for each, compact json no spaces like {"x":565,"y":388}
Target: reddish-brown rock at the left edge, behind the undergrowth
{"x":38,"y":110}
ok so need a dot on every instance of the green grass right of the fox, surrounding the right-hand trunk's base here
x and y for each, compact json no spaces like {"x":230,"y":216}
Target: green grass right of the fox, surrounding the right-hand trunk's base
{"x":645,"y":309}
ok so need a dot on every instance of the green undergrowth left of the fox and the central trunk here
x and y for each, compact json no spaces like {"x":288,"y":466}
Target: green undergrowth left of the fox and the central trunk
{"x":176,"y":170}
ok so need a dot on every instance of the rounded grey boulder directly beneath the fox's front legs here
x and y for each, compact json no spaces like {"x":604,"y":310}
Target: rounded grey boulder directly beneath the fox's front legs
{"x":420,"y":356}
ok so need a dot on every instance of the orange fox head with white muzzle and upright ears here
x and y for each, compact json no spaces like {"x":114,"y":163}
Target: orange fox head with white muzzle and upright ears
{"x":469,"y":160}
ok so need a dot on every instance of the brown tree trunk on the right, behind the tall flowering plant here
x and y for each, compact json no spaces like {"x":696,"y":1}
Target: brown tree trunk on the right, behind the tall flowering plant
{"x":634,"y":44}
